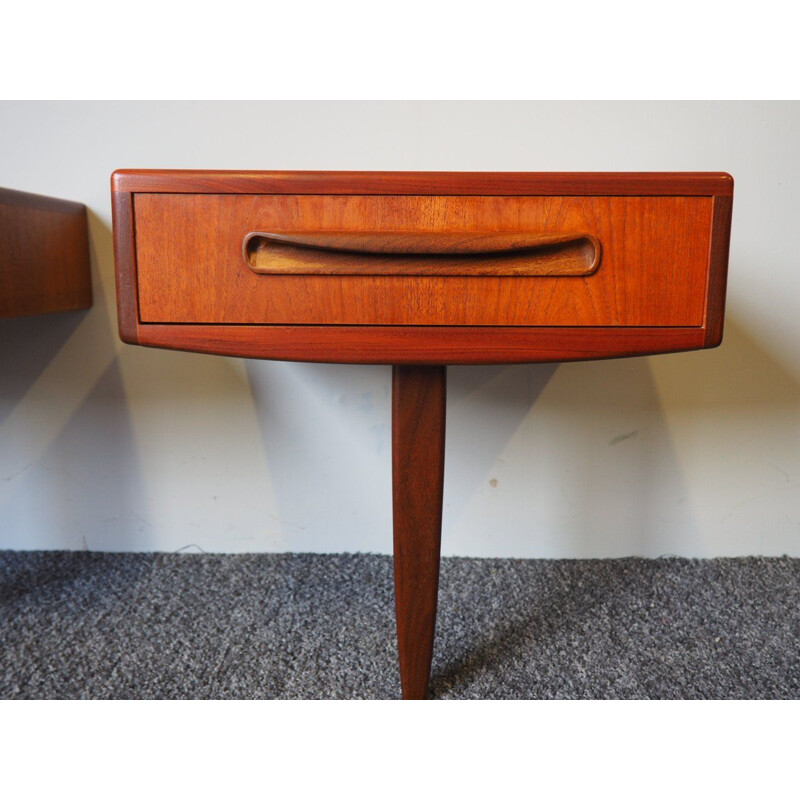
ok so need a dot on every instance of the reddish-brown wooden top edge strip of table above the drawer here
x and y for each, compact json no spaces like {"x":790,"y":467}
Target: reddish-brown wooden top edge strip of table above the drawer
{"x":424,"y":183}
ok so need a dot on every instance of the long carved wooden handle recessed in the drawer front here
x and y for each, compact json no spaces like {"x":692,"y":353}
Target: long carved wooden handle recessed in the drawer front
{"x":442,"y":254}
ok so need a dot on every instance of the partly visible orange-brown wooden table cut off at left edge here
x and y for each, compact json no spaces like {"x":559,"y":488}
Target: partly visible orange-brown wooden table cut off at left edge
{"x":44,"y":255}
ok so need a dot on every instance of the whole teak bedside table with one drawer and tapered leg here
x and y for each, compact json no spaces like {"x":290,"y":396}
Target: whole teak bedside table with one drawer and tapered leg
{"x":421,"y":270}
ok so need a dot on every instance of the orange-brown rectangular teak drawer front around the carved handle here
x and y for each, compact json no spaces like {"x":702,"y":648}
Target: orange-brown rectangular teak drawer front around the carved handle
{"x":651,"y":268}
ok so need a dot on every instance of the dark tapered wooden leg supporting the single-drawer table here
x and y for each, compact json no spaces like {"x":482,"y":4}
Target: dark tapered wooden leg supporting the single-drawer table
{"x":418,"y":420}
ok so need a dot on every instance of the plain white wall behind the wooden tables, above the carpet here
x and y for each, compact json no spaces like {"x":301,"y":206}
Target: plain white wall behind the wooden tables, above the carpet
{"x":110,"y":447}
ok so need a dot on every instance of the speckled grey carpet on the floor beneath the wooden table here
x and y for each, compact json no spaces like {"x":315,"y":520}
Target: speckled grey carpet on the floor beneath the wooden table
{"x":90,"y":625}
